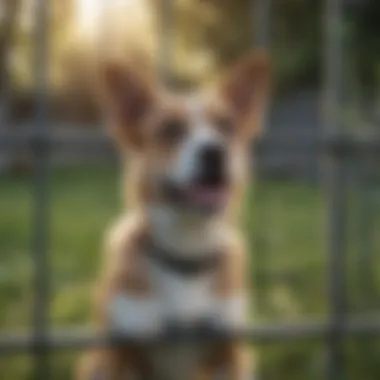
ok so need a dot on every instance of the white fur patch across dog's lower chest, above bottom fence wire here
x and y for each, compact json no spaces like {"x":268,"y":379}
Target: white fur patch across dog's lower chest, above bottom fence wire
{"x":179,"y":298}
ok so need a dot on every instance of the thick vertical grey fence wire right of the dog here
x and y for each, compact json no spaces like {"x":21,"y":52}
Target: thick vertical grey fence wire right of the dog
{"x":335,"y":183}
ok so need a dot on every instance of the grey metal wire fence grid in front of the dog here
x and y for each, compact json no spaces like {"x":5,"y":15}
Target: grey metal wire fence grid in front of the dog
{"x":334,"y":147}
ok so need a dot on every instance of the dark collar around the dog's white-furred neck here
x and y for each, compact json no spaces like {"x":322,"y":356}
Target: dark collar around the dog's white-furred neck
{"x":184,"y":266}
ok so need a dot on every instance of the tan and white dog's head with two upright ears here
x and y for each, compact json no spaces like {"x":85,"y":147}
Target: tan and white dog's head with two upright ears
{"x":189,"y":151}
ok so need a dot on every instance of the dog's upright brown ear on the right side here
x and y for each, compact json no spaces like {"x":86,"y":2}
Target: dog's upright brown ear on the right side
{"x":246,"y":89}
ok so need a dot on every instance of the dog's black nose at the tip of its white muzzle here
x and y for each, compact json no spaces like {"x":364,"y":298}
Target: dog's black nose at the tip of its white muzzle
{"x":212,"y":165}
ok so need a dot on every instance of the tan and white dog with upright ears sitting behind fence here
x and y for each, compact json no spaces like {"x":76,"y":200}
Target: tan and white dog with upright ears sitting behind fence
{"x":177,"y":258}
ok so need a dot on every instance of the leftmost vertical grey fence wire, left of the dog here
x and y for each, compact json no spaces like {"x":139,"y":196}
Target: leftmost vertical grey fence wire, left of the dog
{"x":40,"y":213}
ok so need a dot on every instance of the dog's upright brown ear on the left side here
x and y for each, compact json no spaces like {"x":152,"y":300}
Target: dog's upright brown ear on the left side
{"x":128,"y":96}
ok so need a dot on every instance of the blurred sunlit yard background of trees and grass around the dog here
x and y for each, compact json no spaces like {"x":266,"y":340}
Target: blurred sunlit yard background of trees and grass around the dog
{"x":288,"y":206}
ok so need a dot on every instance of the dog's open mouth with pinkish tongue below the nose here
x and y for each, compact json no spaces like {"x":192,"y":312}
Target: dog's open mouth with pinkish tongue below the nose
{"x":199,"y":197}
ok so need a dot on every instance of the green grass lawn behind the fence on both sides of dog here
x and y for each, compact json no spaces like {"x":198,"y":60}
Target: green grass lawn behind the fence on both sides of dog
{"x":285,"y":223}
